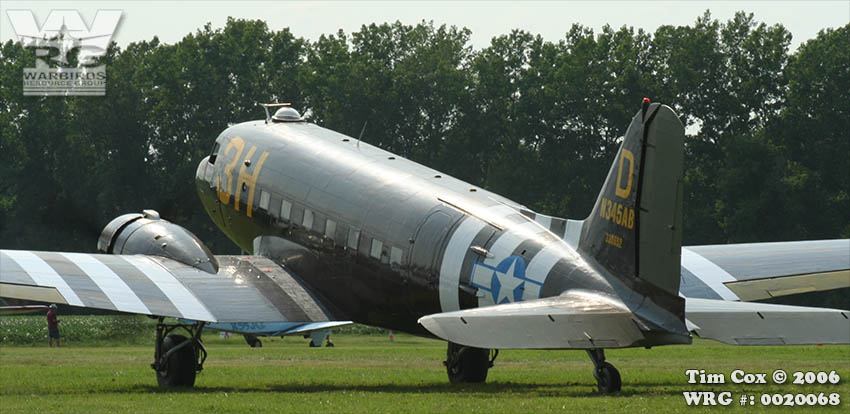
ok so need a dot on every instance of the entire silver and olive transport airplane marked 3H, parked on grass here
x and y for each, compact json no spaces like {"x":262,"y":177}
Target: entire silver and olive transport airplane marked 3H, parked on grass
{"x":341,"y":230}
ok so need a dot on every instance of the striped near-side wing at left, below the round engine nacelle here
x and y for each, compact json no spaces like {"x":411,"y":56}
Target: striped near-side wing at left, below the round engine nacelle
{"x":246,"y":288}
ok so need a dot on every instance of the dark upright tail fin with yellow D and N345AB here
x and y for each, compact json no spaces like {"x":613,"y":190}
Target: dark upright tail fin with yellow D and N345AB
{"x":635,"y":228}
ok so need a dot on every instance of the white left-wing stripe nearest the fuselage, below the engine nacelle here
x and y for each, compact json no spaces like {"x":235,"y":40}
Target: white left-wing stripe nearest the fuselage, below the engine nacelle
{"x":188,"y":305}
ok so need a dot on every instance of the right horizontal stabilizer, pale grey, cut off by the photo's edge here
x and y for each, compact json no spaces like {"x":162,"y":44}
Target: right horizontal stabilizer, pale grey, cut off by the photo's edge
{"x":746,"y":323}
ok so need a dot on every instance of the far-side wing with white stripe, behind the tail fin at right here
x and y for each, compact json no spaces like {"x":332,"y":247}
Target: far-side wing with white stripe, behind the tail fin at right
{"x":757,"y":271}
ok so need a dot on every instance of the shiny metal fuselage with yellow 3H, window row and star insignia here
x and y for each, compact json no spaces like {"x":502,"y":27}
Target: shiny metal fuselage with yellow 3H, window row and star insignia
{"x":303,"y":177}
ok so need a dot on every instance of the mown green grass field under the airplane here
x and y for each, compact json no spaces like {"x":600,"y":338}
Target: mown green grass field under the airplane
{"x":368,"y":373}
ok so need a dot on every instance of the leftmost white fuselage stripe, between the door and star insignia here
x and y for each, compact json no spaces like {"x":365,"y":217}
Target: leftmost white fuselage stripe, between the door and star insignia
{"x":453,"y":260}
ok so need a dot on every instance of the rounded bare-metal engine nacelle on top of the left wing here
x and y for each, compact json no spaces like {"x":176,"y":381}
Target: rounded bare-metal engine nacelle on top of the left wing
{"x":148,"y":234}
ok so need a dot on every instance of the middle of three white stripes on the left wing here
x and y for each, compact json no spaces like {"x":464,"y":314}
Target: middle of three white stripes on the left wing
{"x":110,"y":283}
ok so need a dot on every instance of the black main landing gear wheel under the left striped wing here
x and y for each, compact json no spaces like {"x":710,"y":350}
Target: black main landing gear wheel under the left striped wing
{"x":177,"y":358}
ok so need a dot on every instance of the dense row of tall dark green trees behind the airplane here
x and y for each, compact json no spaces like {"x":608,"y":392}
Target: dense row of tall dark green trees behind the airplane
{"x":537,"y":121}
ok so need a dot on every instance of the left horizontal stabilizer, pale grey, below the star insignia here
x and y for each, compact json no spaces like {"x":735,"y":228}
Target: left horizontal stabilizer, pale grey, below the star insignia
{"x":578,"y":320}
